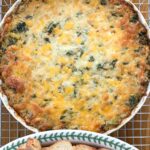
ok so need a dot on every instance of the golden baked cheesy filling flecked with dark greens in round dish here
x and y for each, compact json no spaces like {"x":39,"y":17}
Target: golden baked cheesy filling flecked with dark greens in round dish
{"x":75,"y":64}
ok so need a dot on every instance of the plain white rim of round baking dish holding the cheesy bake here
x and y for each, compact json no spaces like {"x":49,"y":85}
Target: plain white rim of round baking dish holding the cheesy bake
{"x":133,"y":113}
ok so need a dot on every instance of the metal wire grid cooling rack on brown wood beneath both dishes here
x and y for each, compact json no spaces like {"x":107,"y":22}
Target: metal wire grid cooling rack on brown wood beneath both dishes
{"x":136,"y":132}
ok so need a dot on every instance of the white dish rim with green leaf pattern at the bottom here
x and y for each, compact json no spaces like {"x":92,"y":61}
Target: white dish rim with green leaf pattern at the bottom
{"x":75,"y":136}
